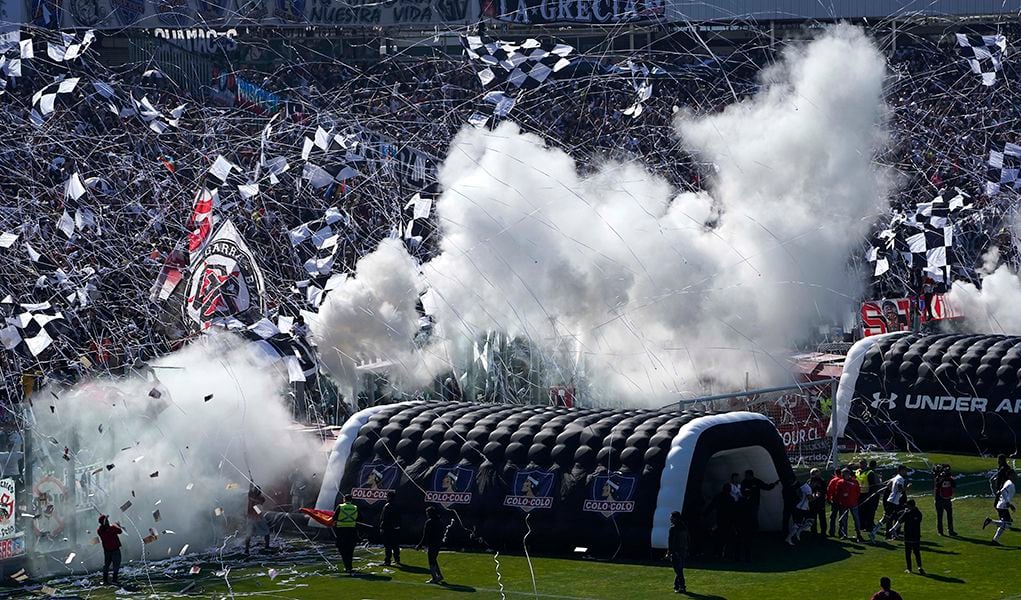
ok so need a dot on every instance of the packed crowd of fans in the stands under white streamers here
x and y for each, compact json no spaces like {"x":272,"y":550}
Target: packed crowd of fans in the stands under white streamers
{"x":142,"y":185}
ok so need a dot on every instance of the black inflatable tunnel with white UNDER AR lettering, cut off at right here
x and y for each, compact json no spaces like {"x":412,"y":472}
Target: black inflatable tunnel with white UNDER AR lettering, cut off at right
{"x":955,"y":393}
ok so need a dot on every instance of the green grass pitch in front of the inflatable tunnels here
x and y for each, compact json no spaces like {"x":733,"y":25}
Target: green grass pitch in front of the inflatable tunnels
{"x":967,"y":567}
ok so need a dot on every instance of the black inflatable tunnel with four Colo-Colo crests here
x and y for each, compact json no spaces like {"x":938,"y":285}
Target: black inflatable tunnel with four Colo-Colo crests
{"x":600,"y":479}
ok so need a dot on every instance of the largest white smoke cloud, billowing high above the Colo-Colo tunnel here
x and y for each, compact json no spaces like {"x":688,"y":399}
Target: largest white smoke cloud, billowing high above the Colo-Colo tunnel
{"x":659,"y":290}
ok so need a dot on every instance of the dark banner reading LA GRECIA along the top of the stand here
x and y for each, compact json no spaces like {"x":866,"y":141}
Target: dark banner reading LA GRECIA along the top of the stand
{"x":573,"y":12}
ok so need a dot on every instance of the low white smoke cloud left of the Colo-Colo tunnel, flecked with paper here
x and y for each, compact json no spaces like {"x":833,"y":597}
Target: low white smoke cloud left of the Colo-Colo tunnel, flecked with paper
{"x":215,"y":447}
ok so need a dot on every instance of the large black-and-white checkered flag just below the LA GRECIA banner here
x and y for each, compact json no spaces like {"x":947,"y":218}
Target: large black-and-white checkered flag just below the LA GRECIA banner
{"x":526,"y":66}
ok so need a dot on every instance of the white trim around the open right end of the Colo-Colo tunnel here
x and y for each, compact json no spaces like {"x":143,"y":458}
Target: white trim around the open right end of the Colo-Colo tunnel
{"x":674,"y":480}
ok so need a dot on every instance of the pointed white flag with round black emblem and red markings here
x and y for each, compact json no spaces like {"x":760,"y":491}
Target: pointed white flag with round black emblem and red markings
{"x":226,"y":281}
